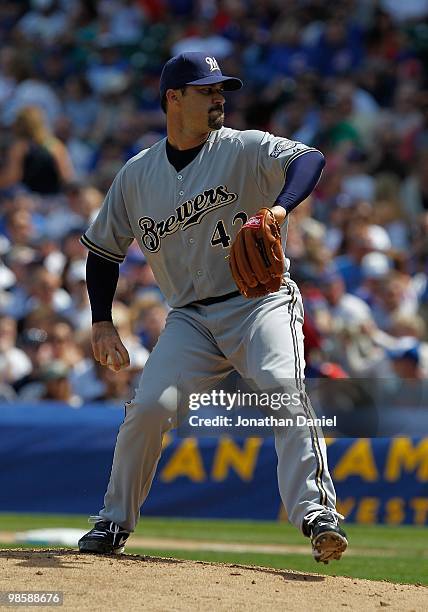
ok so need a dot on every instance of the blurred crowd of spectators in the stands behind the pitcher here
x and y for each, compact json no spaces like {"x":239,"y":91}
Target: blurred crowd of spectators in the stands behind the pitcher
{"x":79,"y":96}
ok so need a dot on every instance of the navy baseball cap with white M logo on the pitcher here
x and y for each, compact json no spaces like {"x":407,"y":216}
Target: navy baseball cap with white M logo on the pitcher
{"x":194,"y":68}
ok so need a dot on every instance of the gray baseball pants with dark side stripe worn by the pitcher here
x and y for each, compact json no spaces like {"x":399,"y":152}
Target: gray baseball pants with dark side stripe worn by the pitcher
{"x":262,"y":339}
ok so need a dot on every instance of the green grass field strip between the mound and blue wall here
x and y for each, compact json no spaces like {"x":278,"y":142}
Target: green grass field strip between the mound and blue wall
{"x":396,"y":554}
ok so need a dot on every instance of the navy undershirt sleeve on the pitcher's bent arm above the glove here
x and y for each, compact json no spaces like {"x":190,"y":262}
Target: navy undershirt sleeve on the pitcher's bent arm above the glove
{"x":302,"y":175}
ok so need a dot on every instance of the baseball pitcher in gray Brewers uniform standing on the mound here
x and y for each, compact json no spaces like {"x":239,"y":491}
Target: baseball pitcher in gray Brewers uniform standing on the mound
{"x":206,"y":205}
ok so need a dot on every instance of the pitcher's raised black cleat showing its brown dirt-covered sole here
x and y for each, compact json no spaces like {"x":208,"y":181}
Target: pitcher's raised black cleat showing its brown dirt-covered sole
{"x":327,"y":538}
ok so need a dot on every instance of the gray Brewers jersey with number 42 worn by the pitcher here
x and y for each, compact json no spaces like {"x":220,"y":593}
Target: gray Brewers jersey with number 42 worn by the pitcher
{"x":184,"y":222}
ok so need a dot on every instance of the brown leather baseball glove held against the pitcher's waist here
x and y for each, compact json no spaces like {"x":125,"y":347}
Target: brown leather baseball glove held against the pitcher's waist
{"x":256,"y":257}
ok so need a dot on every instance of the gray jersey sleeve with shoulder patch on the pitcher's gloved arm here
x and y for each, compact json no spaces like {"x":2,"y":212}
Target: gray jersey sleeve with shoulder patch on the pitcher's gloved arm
{"x":270,"y":157}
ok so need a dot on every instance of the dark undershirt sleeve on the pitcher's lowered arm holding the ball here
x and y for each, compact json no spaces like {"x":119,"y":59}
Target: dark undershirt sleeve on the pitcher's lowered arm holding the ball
{"x":101,"y":280}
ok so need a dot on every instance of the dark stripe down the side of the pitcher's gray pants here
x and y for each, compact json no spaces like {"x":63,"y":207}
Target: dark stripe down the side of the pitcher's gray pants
{"x":298,"y":373}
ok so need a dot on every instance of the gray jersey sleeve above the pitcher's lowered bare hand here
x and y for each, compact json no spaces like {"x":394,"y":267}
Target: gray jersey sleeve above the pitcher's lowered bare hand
{"x":110,"y":234}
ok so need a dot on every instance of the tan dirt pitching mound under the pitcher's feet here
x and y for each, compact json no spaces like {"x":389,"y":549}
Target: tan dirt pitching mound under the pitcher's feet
{"x":133,"y":582}
